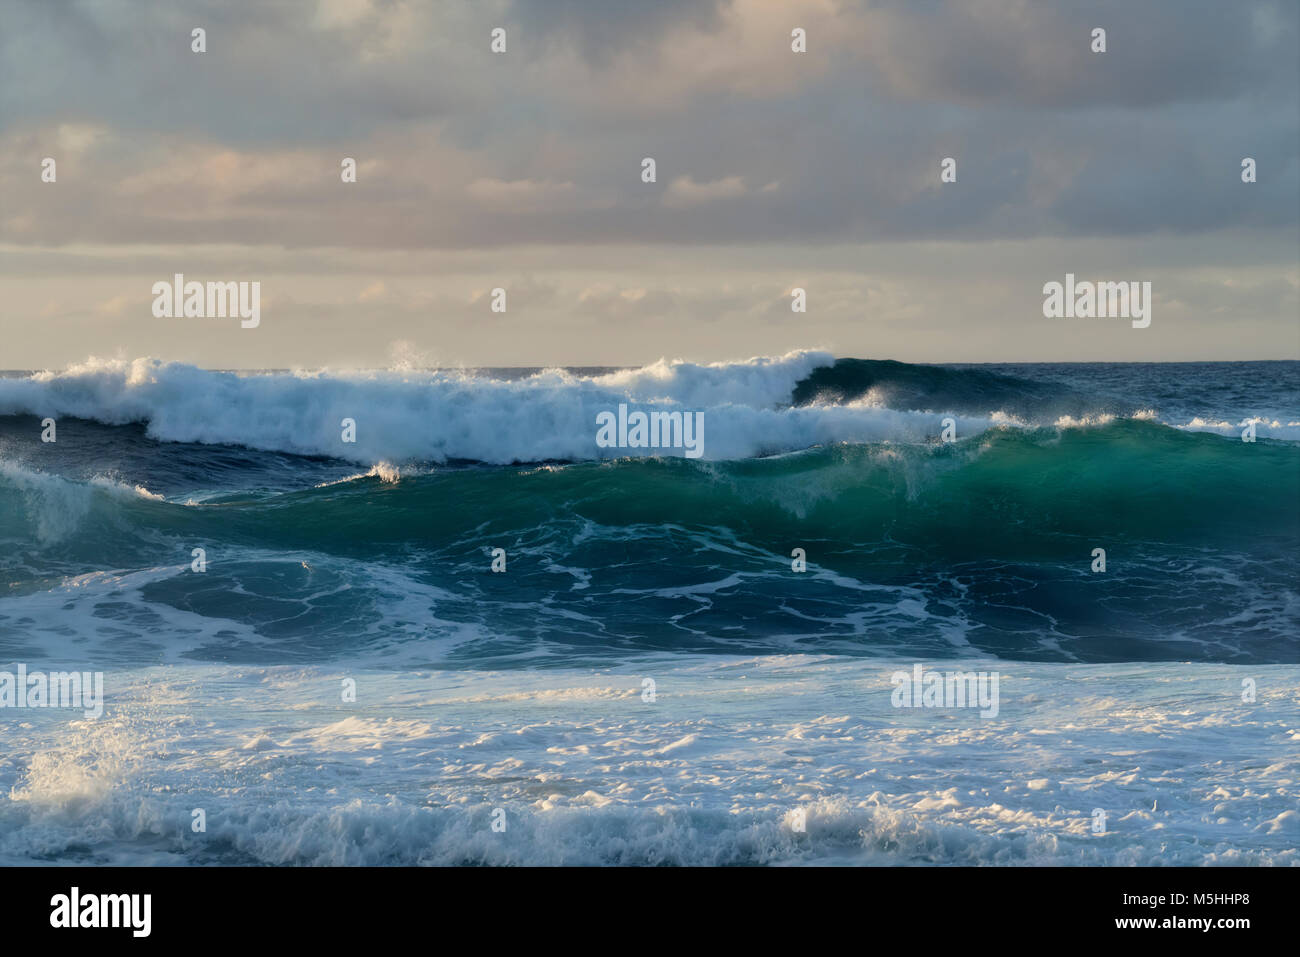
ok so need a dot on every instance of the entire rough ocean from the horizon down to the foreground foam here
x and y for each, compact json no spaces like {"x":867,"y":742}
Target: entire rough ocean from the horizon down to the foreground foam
{"x":504,"y":717}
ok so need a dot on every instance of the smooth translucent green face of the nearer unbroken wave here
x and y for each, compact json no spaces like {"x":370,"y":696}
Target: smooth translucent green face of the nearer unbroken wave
{"x":1029,"y":493}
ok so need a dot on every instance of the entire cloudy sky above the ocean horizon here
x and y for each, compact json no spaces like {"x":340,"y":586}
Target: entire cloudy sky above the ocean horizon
{"x":523,"y":171}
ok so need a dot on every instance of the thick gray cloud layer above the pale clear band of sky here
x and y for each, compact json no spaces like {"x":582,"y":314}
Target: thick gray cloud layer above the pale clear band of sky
{"x":1051,"y":140}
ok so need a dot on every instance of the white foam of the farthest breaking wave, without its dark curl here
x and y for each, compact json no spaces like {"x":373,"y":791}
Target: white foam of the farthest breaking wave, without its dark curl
{"x":405,"y":417}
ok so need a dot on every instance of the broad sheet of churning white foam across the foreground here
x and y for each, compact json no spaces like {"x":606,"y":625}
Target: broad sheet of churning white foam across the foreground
{"x":722,"y":769}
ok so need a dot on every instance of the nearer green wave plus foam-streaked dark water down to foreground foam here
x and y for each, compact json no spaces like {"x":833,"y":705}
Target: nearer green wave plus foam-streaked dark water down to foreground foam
{"x":985,"y":545}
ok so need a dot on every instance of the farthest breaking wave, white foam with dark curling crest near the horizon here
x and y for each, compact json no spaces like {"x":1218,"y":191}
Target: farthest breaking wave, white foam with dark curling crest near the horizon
{"x":749,"y":409}
